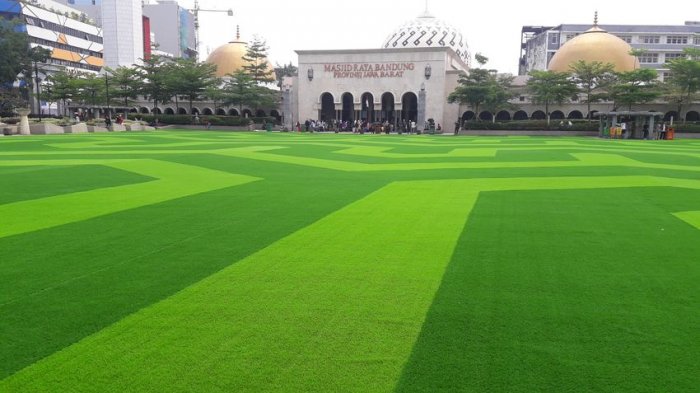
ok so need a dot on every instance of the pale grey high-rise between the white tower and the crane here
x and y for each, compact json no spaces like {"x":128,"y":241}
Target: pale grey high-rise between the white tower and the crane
{"x":173,"y":28}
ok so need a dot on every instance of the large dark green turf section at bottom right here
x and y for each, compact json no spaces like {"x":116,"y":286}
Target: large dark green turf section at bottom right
{"x":567,"y":291}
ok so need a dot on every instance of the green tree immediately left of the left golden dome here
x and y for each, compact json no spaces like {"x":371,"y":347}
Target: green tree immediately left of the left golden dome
{"x":193,"y":79}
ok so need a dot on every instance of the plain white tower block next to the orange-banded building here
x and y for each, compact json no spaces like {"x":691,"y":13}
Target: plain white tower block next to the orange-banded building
{"x":122,"y":27}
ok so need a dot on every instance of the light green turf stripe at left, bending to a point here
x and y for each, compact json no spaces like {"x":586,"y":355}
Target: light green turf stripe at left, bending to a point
{"x":174,"y":181}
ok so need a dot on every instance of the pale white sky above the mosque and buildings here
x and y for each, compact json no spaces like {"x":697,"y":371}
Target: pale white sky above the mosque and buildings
{"x":491,"y":28}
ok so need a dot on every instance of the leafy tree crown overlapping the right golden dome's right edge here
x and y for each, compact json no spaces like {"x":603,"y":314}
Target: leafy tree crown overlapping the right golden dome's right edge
{"x":635,"y":87}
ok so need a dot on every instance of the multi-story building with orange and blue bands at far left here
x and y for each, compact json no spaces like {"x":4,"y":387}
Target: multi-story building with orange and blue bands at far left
{"x":74,"y":40}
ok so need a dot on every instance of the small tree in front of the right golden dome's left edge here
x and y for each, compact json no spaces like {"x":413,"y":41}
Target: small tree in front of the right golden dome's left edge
{"x":549,"y":87}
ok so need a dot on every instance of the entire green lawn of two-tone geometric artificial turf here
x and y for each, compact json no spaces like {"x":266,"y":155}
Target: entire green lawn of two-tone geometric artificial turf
{"x":254,"y":262}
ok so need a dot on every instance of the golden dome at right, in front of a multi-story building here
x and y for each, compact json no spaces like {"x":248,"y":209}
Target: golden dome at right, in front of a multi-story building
{"x":594,"y":45}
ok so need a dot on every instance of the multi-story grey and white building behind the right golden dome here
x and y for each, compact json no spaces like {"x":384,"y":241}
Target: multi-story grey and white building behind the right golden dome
{"x":660,"y":43}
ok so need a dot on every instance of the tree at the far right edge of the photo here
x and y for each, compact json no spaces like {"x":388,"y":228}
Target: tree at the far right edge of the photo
{"x":684,"y":83}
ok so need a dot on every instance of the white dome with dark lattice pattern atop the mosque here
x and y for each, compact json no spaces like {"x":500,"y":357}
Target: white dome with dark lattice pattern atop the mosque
{"x":427,"y":31}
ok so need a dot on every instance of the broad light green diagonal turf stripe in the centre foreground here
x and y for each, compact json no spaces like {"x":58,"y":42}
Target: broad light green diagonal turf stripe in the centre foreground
{"x":336,"y":306}
